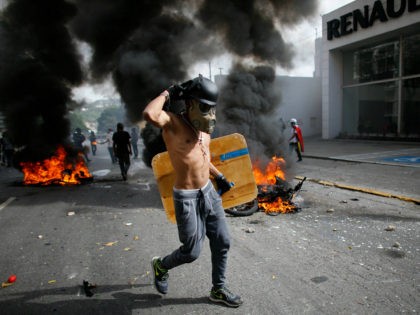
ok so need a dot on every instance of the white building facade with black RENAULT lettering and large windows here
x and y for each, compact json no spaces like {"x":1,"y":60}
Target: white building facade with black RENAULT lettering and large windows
{"x":371,"y":70}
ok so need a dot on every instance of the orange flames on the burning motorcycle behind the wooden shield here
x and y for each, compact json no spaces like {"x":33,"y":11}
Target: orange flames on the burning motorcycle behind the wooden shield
{"x":268,"y":177}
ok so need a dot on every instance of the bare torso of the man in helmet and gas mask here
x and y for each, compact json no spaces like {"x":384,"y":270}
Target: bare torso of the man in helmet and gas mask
{"x":189,"y":153}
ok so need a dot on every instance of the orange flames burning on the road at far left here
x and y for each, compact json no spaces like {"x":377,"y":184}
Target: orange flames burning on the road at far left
{"x":55,"y":170}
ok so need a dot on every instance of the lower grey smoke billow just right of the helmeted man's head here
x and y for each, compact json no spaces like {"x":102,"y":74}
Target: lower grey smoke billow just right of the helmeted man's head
{"x":247,"y":105}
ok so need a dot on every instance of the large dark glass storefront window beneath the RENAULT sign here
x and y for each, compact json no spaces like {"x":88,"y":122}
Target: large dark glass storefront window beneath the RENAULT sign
{"x":381,"y":93}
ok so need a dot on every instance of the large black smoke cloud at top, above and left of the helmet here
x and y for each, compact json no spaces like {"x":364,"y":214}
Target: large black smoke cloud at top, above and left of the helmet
{"x":153,"y":45}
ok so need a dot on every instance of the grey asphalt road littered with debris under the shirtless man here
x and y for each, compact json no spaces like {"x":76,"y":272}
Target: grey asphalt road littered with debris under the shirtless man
{"x":346,"y":252}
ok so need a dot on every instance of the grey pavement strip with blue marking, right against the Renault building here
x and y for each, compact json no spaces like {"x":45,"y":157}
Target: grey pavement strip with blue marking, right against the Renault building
{"x":364,"y":151}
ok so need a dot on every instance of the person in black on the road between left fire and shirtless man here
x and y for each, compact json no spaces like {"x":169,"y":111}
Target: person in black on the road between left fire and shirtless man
{"x":122,"y":149}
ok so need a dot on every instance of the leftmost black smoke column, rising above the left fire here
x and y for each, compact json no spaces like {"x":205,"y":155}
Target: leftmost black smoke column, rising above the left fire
{"x":39,"y":65}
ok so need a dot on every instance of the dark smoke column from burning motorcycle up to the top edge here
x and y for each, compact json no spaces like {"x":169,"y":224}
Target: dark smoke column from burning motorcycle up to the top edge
{"x":248,"y":97}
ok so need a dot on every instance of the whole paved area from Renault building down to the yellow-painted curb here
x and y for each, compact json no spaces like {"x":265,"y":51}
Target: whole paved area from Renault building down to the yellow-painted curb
{"x":389,"y":169}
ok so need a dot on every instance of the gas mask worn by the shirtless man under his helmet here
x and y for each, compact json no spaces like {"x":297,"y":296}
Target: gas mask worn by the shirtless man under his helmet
{"x":202,"y":116}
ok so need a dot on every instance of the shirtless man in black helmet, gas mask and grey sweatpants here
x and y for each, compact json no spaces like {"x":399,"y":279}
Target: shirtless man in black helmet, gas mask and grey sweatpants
{"x":198,"y":207}
